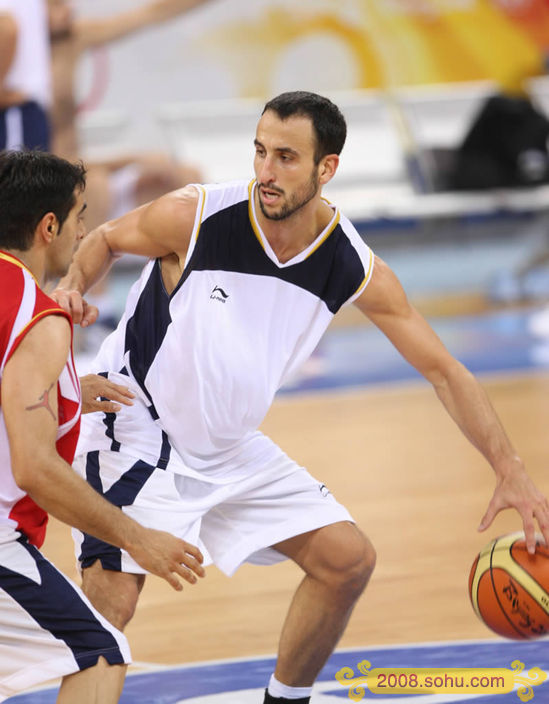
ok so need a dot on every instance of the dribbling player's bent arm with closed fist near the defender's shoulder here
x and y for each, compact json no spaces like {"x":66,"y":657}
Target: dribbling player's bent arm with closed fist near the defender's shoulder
{"x":157,"y":229}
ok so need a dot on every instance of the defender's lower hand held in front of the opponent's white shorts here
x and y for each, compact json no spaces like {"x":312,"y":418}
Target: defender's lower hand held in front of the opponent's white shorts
{"x":168,"y":557}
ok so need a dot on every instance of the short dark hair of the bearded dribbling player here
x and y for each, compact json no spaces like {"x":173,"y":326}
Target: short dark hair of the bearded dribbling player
{"x":328,"y":122}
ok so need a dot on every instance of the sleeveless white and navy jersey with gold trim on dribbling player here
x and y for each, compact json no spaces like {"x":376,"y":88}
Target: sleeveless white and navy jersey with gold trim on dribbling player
{"x":209,"y":358}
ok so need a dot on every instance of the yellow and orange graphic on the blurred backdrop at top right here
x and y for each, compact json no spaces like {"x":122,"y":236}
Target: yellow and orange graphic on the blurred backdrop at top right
{"x":392,"y":43}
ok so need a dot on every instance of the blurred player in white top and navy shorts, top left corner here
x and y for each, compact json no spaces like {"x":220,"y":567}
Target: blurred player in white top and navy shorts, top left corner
{"x":25,"y":75}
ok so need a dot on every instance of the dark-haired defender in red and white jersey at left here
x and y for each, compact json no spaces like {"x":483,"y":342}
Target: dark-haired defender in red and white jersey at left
{"x":48,"y":629}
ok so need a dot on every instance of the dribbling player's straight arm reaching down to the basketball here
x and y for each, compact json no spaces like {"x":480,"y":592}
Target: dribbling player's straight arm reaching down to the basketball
{"x":386,"y":305}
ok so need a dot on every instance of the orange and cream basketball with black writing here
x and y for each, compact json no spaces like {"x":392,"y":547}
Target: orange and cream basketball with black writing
{"x":509,"y":588}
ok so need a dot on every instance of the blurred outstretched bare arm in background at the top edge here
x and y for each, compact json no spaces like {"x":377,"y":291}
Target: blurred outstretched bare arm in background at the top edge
{"x":92,"y":32}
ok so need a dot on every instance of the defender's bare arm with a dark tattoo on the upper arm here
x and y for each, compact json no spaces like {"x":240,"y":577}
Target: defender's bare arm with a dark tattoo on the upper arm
{"x":29,"y":404}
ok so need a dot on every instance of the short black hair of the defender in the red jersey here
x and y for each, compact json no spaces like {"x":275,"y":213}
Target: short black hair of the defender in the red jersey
{"x":33,"y":183}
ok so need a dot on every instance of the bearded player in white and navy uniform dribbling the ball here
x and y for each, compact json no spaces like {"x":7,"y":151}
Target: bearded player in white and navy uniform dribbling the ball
{"x":242,"y":281}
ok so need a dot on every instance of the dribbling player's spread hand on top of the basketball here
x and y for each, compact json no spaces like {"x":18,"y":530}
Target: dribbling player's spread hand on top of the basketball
{"x":516,"y":490}
